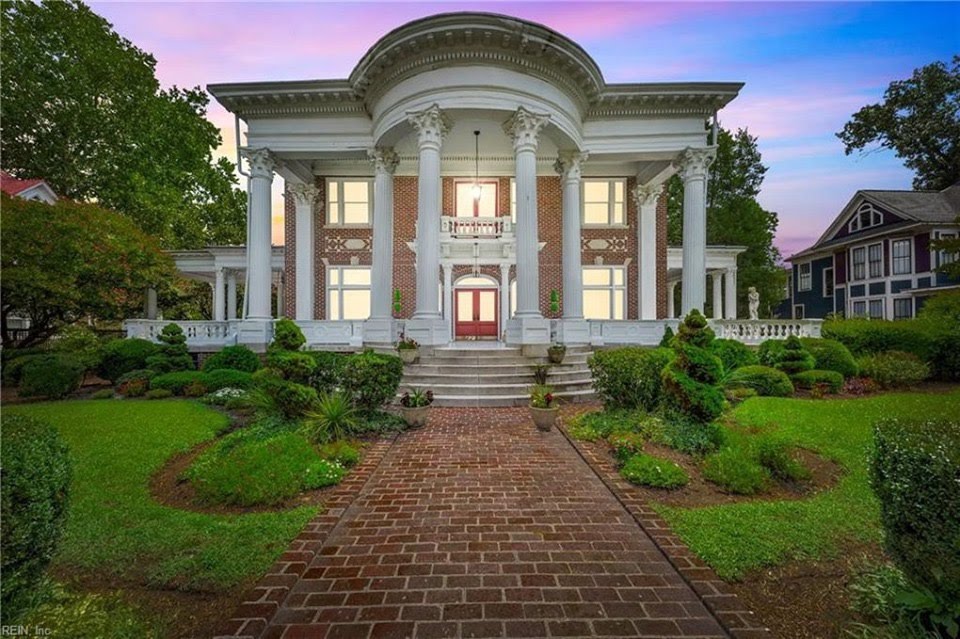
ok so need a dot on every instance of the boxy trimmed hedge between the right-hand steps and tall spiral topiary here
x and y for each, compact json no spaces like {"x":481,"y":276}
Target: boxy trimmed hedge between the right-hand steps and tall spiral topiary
{"x":630,"y":377}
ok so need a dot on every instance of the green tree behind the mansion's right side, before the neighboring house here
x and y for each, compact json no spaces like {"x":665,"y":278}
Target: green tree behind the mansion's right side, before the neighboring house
{"x":734,"y":217}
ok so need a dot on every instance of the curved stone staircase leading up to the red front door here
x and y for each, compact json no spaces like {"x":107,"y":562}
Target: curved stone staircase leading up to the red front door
{"x":465,"y":376}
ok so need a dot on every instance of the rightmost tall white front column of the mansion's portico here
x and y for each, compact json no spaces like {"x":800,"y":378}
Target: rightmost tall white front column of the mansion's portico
{"x":692,"y":165}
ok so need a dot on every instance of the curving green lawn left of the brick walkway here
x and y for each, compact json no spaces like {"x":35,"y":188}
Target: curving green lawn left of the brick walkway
{"x":114,"y":527}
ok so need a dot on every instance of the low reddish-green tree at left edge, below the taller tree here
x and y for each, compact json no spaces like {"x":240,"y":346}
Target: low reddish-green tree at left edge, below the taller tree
{"x":67,"y":261}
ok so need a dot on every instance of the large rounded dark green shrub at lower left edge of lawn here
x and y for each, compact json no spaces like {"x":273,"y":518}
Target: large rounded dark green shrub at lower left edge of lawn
{"x":36,"y":473}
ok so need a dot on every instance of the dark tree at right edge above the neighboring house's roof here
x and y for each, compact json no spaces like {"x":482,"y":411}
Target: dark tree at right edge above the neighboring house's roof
{"x":919,"y":119}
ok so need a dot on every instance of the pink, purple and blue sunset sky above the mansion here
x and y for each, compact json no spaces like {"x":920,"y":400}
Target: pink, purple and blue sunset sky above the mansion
{"x":807,"y":67}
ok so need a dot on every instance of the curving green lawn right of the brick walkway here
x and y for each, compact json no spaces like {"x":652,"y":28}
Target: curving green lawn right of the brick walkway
{"x":740,"y":537}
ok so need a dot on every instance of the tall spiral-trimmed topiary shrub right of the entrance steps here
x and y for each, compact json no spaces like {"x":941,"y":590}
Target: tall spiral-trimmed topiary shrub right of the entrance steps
{"x":690,"y":380}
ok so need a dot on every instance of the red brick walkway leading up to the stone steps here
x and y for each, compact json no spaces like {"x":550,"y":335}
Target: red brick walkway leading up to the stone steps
{"x":470,"y":528}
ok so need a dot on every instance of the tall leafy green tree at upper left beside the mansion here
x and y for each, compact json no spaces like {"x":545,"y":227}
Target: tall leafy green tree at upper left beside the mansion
{"x":83,"y":110}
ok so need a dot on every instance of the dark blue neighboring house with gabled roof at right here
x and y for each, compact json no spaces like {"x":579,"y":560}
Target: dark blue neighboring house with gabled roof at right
{"x":875,"y":260}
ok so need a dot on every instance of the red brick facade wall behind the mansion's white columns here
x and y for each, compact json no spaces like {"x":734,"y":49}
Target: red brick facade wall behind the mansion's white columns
{"x":330,"y":245}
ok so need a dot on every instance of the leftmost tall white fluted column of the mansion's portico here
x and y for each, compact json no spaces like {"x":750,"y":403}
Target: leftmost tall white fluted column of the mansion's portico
{"x":259,"y":275}
